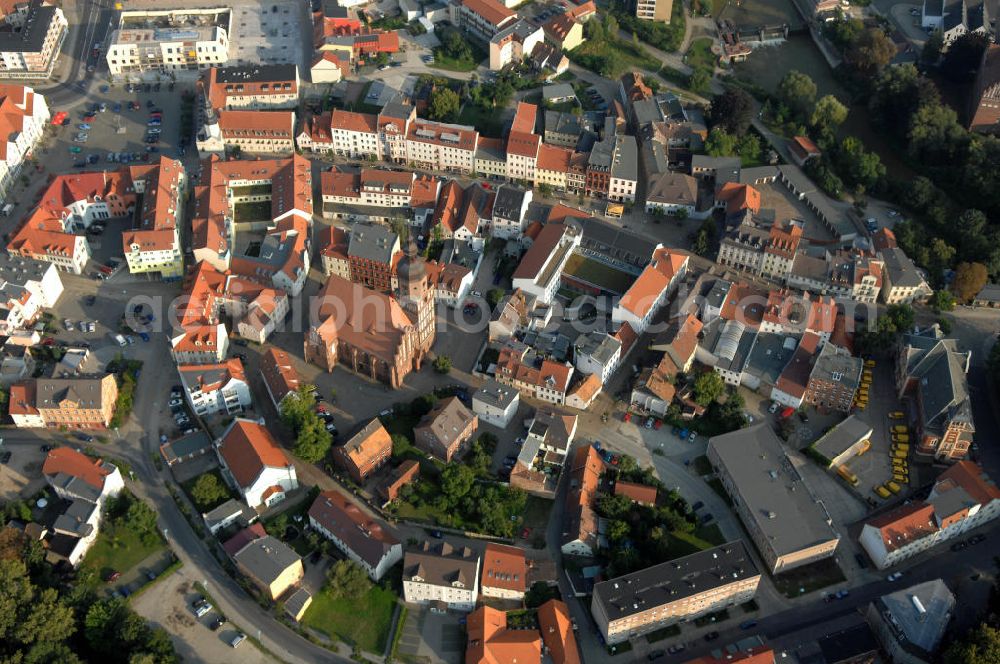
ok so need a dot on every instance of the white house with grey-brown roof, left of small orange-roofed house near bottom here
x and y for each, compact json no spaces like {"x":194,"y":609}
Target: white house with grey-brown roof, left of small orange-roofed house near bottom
{"x":441,"y":573}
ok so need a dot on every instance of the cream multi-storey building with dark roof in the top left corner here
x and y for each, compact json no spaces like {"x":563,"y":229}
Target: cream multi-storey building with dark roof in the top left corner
{"x":30,"y":47}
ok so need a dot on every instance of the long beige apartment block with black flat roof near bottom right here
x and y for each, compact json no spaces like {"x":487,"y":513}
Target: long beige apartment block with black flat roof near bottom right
{"x":676,"y":591}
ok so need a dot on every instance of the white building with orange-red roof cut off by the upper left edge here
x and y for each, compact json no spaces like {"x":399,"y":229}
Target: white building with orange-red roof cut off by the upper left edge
{"x":23,"y":114}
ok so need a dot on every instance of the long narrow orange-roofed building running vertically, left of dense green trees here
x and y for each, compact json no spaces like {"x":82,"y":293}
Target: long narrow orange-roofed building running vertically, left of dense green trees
{"x":579,"y":535}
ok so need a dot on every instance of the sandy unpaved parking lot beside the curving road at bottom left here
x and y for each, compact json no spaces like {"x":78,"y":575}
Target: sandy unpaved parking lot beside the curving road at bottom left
{"x":168,"y":604}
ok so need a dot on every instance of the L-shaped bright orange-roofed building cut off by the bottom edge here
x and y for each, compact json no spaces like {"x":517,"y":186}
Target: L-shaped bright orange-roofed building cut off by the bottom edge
{"x":489,"y":640}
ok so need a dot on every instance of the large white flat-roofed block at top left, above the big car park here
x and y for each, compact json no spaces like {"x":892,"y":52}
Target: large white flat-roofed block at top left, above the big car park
{"x":200,"y":38}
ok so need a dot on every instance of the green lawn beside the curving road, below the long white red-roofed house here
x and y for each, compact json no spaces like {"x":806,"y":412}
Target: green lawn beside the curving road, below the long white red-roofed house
{"x":364,"y":622}
